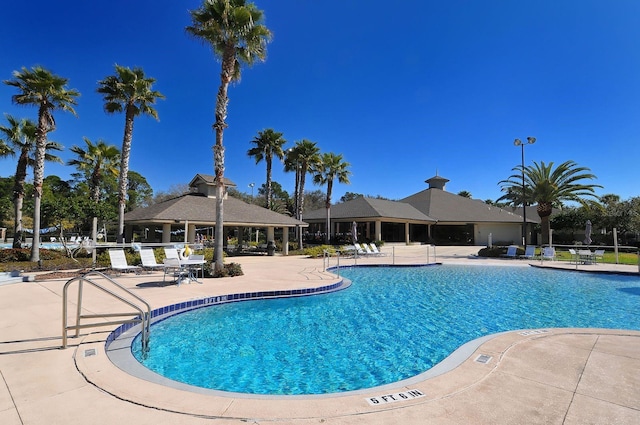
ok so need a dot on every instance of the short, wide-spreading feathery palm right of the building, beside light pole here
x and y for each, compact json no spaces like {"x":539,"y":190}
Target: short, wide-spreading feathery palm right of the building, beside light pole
{"x":549,"y":187}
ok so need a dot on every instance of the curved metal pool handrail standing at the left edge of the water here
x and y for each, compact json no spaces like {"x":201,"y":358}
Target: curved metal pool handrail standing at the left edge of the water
{"x":144,"y":317}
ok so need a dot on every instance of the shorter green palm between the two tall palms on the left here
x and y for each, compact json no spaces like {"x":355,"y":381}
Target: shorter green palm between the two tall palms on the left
{"x":95,"y":162}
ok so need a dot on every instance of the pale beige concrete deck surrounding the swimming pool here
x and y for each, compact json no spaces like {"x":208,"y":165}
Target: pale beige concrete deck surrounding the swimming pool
{"x":549,"y":376}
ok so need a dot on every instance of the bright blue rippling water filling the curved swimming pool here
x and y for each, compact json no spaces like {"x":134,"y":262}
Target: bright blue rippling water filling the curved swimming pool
{"x":391,"y":324}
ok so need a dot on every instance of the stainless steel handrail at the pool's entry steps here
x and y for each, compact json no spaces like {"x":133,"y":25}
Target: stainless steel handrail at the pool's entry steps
{"x":141,"y":309}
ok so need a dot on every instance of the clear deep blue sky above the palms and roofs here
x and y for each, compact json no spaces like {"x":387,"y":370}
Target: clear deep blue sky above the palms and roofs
{"x":401,"y":89}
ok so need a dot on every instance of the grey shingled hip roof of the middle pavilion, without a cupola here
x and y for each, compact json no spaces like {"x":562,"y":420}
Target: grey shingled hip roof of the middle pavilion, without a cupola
{"x":363,"y":207}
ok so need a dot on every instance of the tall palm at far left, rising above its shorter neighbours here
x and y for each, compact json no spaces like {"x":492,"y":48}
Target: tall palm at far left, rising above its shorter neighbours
{"x":49,"y":92}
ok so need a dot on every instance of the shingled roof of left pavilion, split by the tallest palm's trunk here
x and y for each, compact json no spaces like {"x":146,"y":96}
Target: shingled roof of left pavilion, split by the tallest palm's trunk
{"x":197,"y":208}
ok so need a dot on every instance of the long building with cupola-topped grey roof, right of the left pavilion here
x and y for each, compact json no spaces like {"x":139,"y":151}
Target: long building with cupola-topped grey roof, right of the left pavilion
{"x":429,"y":216}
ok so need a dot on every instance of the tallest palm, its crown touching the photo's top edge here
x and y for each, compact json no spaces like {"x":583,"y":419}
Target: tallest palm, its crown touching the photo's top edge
{"x":234,"y":30}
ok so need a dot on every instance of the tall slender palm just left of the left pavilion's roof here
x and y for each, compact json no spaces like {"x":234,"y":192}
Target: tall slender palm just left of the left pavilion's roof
{"x":129,"y":91}
